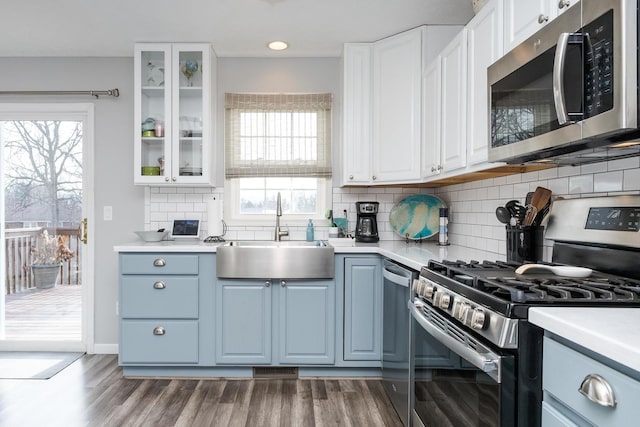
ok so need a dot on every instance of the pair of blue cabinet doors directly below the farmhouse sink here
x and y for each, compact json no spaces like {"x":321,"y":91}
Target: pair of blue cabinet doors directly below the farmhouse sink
{"x":298,"y":316}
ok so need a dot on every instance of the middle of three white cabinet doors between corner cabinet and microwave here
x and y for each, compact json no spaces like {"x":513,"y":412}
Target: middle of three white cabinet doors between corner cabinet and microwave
{"x":454,"y":104}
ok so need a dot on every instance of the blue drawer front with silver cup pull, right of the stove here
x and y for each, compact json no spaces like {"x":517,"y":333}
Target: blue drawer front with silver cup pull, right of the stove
{"x":563,"y":371}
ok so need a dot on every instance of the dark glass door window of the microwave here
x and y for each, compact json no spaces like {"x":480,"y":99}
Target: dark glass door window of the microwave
{"x":523,"y":104}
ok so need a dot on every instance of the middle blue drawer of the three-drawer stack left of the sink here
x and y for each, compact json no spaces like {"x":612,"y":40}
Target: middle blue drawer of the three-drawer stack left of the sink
{"x":159,"y":297}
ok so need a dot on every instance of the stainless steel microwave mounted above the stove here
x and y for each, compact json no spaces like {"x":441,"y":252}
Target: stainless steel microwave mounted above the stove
{"x":569,"y":93}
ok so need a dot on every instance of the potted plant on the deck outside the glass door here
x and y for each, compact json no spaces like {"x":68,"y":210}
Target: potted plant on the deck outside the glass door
{"x":48,"y":253}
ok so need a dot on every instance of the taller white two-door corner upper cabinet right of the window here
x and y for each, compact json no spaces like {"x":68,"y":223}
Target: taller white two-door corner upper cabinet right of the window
{"x":382,"y":128}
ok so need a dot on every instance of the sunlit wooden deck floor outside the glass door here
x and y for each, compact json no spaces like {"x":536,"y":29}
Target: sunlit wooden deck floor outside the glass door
{"x":53,"y":314}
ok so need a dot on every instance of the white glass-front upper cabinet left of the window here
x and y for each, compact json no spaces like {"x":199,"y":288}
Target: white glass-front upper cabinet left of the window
{"x":174,"y":114}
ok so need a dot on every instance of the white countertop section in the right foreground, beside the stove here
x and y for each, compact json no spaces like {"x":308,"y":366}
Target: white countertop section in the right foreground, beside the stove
{"x":611,"y":332}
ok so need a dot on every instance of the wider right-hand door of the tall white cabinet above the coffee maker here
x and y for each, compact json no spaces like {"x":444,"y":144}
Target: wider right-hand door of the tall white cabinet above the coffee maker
{"x":397,"y":73}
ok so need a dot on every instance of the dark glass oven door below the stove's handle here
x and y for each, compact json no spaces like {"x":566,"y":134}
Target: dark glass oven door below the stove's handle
{"x":449,"y":391}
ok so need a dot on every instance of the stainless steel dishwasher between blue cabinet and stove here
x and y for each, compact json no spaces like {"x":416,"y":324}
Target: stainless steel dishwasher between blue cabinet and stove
{"x":395,"y":335}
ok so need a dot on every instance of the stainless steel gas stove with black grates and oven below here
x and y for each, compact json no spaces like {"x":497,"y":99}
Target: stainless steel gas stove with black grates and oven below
{"x":475,"y":360}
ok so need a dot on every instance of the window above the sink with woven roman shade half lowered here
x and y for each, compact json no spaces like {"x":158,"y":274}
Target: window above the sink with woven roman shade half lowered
{"x":277,"y":144}
